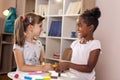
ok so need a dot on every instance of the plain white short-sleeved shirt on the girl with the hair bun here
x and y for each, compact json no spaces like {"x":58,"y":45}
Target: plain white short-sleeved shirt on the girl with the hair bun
{"x":81,"y":54}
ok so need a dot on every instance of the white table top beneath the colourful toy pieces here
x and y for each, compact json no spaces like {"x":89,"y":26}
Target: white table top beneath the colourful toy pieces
{"x":34,"y":75}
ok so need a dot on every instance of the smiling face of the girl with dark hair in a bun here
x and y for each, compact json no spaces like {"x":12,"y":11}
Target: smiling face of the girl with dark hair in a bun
{"x":82,"y":28}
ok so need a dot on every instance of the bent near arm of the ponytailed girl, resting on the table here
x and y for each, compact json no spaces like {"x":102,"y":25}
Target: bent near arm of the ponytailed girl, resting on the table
{"x":21,"y":64}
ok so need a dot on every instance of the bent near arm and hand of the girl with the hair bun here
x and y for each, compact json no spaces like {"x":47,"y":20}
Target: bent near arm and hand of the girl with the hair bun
{"x":92,"y":61}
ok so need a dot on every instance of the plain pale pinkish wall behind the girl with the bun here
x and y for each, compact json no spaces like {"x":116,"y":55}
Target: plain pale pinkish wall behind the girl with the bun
{"x":108,"y":67}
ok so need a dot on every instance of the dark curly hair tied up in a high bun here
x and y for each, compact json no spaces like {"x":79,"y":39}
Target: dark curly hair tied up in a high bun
{"x":91,"y":17}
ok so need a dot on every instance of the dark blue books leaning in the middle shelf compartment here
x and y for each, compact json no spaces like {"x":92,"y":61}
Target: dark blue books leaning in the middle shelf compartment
{"x":55,"y":29}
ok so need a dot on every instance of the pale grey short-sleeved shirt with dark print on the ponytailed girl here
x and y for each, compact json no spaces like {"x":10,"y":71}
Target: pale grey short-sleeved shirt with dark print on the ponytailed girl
{"x":31,"y":52}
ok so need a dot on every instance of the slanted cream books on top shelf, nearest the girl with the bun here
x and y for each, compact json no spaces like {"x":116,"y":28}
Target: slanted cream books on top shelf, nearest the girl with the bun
{"x":74,"y":7}
